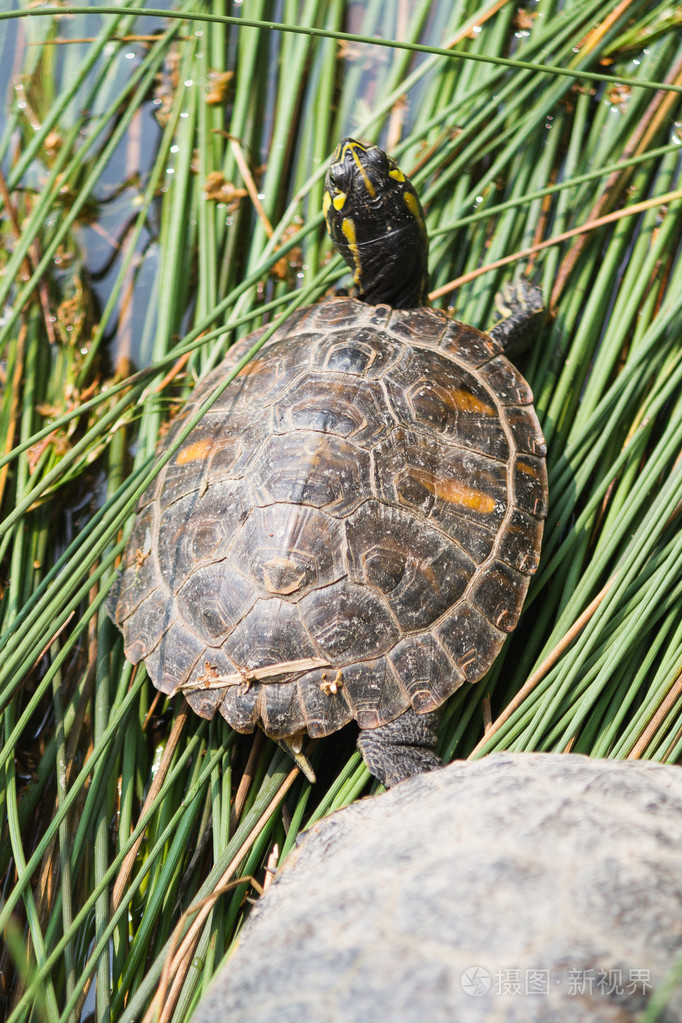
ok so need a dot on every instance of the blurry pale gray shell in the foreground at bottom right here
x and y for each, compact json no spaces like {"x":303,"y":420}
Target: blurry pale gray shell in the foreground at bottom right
{"x":519,"y":888}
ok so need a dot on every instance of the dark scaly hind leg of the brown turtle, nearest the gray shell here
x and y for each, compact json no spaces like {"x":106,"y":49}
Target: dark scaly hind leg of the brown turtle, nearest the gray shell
{"x":401,"y":748}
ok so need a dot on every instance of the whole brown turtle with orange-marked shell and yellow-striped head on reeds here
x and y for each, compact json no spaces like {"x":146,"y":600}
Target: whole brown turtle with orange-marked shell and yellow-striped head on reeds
{"x":349,"y":532}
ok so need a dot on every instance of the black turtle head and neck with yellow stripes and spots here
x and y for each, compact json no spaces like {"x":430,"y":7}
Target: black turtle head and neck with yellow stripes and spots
{"x":376,"y":220}
